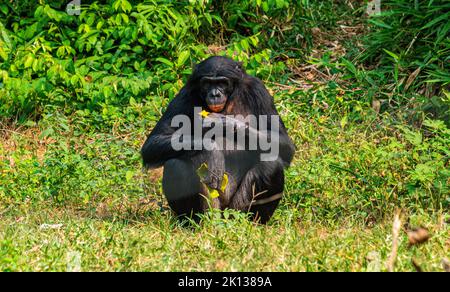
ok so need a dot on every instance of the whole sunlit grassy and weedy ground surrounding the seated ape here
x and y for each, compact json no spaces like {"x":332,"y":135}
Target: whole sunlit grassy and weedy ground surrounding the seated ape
{"x":66,"y":189}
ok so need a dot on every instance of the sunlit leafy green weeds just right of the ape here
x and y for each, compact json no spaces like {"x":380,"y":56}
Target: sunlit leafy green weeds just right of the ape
{"x":354,"y":163}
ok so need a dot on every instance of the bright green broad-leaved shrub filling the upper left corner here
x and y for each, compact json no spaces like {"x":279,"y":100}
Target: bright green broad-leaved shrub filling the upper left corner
{"x":110,"y":55}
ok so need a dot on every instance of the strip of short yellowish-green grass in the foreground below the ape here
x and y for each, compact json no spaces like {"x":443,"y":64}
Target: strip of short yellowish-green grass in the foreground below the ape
{"x":158,"y":243}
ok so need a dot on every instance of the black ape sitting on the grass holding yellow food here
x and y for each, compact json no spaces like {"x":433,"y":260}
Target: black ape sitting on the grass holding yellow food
{"x":220,"y":85}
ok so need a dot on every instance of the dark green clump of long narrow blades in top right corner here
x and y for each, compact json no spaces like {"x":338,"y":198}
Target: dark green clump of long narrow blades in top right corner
{"x":409,"y":41}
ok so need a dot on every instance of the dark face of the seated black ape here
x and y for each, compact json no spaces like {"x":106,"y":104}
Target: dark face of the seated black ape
{"x":215,"y":92}
